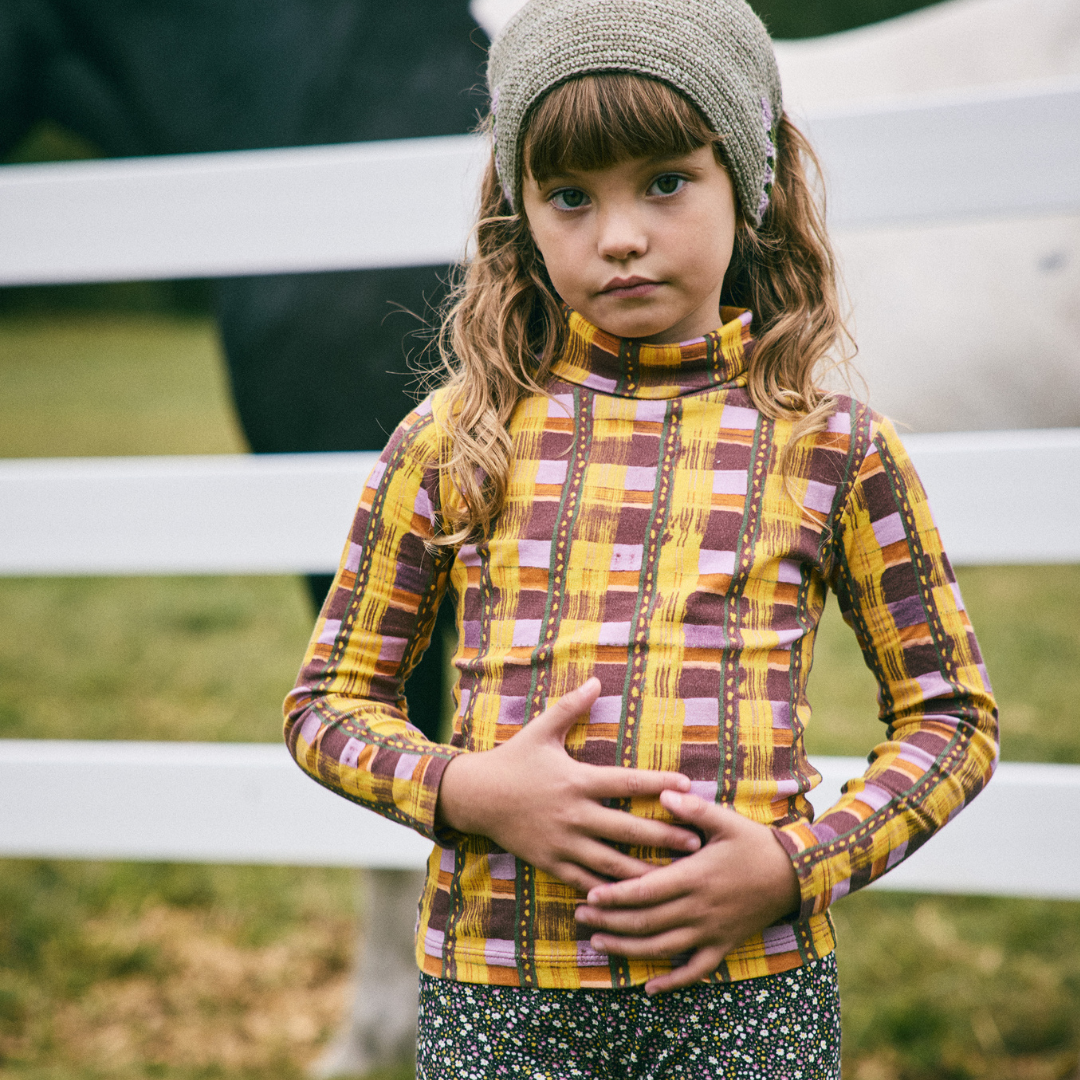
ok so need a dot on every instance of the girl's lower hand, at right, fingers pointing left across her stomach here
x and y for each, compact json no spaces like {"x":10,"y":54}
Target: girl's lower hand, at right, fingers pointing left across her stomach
{"x":740,"y":883}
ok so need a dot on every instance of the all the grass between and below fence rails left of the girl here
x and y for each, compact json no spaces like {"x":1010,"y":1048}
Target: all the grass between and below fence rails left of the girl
{"x":133,"y":970}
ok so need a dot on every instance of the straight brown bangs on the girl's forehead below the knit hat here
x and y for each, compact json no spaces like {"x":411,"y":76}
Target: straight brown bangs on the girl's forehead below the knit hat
{"x":601,"y":120}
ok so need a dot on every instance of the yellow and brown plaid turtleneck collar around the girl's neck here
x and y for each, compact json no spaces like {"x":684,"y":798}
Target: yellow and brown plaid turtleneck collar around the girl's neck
{"x":628,"y":369}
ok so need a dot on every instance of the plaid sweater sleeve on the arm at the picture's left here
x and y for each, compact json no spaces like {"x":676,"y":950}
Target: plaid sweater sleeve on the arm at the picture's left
{"x":346,"y":721}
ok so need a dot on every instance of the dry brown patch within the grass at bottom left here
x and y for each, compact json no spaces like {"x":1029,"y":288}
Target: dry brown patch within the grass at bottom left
{"x":206,"y":1001}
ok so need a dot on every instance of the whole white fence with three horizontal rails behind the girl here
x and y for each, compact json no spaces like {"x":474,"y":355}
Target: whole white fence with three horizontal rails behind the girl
{"x":1001,"y":497}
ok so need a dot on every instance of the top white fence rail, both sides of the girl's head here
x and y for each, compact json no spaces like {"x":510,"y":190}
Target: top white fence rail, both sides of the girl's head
{"x":410,"y":202}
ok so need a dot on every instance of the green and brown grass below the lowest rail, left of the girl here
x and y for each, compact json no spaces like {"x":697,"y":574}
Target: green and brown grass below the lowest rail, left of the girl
{"x":125,"y":970}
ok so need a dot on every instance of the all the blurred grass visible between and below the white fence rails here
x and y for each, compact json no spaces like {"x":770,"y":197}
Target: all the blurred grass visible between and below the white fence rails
{"x":126,"y":970}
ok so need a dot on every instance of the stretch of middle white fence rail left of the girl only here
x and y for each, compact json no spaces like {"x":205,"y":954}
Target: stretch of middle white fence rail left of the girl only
{"x":275,"y":514}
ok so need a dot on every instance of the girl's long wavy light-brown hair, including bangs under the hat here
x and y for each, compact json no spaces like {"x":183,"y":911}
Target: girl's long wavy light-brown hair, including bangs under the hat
{"x":504,"y":323}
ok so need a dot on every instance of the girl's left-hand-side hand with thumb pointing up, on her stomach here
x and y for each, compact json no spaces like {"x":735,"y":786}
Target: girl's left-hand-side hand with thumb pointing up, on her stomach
{"x":533,"y":800}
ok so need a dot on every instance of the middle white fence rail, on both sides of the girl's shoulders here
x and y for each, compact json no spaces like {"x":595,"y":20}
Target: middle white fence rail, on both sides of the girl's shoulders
{"x":290,"y":514}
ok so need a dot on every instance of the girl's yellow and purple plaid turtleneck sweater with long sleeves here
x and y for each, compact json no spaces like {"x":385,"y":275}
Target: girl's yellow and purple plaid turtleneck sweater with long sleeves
{"x":649,"y":538}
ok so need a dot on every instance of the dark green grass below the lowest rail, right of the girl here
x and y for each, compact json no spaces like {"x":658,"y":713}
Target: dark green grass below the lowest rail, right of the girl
{"x":958,"y":988}
